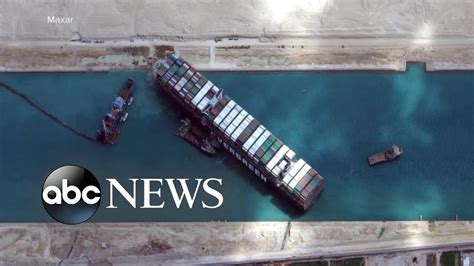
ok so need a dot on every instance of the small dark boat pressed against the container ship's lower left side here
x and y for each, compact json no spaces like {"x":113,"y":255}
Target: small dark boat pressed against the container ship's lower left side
{"x":197,"y":137}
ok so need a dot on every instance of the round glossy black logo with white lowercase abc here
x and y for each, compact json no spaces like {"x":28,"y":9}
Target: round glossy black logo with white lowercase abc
{"x":71,"y":194}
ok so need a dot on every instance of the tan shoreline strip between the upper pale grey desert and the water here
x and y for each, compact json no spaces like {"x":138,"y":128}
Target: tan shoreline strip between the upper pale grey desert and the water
{"x":238,"y":55}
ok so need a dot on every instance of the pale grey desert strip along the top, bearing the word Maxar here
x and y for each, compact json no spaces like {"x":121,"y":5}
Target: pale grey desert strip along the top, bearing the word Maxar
{"x":206,"y":19}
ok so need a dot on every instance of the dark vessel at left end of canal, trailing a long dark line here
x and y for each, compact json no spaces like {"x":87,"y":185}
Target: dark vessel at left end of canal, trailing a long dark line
{"x":109,"y":132}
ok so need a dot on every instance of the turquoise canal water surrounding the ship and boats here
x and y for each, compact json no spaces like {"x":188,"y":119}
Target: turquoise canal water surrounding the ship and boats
{"x":333,"y":120}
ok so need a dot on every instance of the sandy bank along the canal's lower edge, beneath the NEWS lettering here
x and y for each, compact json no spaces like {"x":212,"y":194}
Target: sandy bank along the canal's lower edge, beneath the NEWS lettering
{"x":224,"y":242}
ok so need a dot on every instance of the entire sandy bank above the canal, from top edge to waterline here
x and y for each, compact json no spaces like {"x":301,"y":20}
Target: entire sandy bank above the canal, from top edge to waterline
{"x":238,"y":35}
